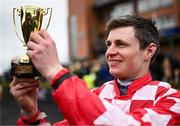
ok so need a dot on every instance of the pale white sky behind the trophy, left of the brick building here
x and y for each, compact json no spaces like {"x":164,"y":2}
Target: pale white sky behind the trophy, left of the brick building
{"x":11,"y":46}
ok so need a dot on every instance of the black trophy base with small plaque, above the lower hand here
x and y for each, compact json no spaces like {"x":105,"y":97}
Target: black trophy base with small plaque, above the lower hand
{"x":23,"y":70}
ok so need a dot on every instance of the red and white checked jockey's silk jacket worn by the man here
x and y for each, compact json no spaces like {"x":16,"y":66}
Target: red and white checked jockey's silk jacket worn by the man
{"x":147,"y":102}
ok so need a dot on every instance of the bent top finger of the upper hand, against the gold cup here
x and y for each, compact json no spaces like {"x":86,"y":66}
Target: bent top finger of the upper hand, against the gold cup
{"x":36,"y":38}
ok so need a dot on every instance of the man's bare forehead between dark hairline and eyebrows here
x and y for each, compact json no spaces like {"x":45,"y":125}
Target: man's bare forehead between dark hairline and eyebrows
{"x":126,"y":34}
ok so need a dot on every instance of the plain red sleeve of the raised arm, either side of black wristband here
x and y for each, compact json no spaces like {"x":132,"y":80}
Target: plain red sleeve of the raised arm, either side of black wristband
{"x":75,"y":101}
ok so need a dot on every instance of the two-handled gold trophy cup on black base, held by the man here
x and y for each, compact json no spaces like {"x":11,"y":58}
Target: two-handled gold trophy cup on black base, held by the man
{"x":31,"y":21}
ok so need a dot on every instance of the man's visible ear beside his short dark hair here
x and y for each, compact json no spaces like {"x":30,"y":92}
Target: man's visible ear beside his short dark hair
{"x":150,"y":51}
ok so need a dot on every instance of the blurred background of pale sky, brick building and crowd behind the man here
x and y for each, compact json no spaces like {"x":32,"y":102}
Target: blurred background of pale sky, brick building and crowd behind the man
{"x":77,"y":27}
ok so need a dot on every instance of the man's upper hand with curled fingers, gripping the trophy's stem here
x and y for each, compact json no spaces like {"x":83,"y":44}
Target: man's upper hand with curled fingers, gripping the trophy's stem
{"x":43,"y":52}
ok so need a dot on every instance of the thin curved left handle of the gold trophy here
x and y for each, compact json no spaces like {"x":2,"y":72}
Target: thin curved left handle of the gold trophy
{"x":19,"y":13}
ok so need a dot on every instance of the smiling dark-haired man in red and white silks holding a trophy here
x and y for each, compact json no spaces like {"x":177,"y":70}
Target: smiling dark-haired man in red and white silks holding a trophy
{"x":132,"y":98}
